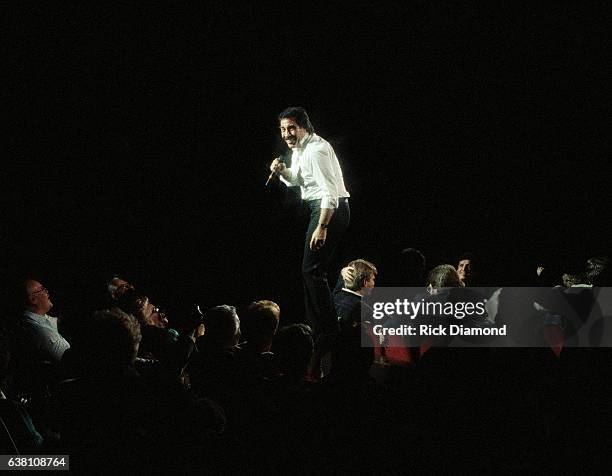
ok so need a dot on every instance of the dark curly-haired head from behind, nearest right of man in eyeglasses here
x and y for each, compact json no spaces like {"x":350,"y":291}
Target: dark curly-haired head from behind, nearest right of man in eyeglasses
{"x":116,"y":340}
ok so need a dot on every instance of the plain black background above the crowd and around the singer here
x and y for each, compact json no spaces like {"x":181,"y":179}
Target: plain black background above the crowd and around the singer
{"x":140,"y":137}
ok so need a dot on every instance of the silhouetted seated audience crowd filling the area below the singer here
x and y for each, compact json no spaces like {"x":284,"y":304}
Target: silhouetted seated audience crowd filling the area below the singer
{"x":238,"y":390}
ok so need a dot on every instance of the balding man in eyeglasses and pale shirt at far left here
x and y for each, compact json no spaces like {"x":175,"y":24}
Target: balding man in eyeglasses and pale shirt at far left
{"x":41,"y":336}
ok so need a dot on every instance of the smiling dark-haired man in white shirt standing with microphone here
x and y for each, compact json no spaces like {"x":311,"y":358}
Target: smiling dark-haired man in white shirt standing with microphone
{"x":315,"y":168}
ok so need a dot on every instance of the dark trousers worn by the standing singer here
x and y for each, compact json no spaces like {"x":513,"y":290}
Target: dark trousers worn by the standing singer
{"x":320,"y":312}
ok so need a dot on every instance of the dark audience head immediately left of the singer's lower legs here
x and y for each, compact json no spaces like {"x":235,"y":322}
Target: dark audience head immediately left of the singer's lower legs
{"x":293,"y":349}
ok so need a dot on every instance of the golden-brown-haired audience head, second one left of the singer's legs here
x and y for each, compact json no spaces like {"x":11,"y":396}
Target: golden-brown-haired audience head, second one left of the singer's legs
{"x":259,"y":322}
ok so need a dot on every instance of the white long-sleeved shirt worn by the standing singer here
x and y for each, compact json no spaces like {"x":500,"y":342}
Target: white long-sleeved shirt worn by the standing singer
{"x":315,"y":168}
